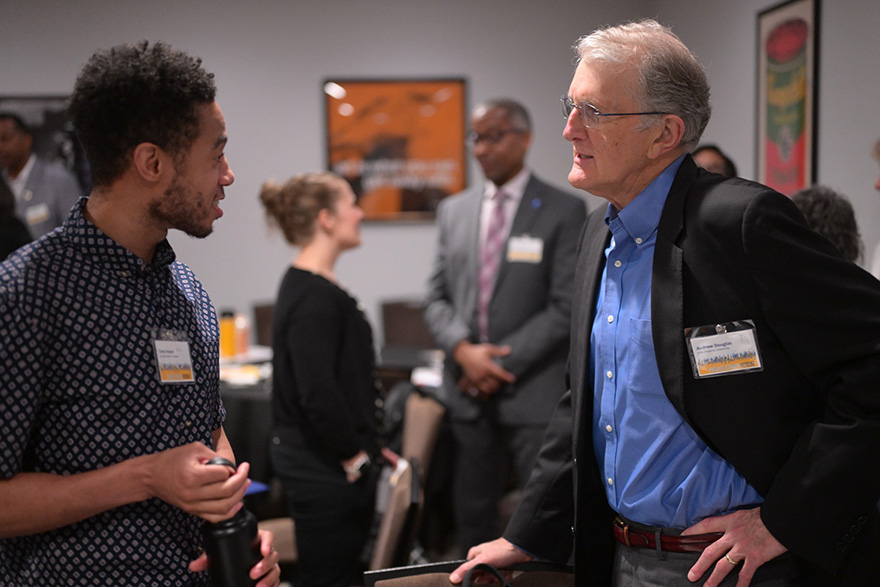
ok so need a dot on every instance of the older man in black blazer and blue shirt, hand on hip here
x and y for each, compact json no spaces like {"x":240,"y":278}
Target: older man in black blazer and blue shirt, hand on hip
{"x":723,"y":418}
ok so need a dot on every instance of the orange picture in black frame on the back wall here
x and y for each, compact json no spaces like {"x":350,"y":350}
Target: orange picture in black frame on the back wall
{"x":399,"y":142}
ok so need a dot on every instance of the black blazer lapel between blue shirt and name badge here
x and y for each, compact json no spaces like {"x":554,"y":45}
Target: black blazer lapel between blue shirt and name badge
{"x":667,"y":295}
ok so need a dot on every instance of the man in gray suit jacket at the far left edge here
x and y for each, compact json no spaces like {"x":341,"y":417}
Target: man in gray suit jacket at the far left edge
{"x":44,"y":192}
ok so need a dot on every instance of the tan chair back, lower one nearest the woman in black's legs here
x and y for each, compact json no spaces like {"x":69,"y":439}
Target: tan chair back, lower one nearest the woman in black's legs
{"x":397,"y":529}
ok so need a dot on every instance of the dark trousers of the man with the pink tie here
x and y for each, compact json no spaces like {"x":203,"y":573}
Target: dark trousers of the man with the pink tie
{"x":481,"y":453}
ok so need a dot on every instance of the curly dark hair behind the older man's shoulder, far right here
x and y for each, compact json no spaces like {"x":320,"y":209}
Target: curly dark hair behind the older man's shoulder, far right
{"x":831,"y":215}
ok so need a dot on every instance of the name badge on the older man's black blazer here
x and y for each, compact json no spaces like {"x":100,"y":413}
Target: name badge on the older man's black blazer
{"x":728,"y":348}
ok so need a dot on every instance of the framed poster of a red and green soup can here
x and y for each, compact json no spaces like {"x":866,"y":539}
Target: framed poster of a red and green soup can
{"x":787,"y":76}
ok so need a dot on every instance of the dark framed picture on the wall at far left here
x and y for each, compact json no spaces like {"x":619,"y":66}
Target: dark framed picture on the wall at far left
{"x":54,"y":139}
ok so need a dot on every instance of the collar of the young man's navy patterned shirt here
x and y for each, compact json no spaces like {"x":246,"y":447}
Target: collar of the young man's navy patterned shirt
{"x":92,"y":241}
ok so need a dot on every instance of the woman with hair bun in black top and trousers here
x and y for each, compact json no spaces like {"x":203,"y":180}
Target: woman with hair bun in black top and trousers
{"x":326,"y":440}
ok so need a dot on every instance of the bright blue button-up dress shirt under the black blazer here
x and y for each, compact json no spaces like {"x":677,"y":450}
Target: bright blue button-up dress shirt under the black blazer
{"x":657,"y":470}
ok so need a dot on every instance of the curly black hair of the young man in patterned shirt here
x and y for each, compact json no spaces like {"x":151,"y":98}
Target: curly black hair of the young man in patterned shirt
{"x":132,"y":94}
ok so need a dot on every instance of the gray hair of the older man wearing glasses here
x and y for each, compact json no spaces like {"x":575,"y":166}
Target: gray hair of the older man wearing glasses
{"x":669,"y":78}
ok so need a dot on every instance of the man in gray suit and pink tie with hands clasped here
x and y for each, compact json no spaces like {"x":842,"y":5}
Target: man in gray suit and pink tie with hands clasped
{"x":499,"y":305}
